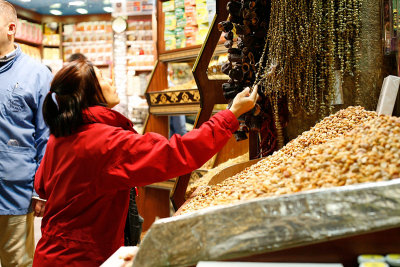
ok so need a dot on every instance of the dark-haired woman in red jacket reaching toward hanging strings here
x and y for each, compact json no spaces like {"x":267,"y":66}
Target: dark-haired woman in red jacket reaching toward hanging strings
{"x":94,"y":157}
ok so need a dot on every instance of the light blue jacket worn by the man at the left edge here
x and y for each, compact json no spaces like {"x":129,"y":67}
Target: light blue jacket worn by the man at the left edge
{"x":24,"y":84}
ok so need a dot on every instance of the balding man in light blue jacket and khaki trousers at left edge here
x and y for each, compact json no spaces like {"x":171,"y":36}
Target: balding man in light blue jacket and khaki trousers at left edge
{"x":24,"y":84}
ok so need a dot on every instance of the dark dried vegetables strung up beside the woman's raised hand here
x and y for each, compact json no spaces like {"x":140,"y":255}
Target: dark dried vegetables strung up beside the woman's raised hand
{"x":249,"y":23}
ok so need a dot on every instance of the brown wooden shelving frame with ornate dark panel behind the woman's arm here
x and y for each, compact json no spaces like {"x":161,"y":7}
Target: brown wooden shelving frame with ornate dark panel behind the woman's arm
{"x":199,"y":102}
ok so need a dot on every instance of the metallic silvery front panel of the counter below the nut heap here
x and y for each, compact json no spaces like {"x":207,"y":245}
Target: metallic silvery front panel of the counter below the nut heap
{"x":324,"y":225}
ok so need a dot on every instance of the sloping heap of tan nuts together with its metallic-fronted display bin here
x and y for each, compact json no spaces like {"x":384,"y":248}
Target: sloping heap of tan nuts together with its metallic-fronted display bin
{"x":336,"y":181}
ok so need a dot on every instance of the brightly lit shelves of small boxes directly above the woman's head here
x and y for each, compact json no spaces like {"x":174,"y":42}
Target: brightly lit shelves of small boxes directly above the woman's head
{"x":93,"y":39}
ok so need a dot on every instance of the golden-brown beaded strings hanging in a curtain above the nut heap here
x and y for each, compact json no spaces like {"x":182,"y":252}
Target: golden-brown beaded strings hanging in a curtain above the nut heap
{"x":309,"y":42}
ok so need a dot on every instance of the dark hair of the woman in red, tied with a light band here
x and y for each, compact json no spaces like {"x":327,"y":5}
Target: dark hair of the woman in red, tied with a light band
{"x":75,"y":88}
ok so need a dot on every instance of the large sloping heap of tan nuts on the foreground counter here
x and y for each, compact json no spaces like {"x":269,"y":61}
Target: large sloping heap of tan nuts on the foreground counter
{"x":349,"y":147}
